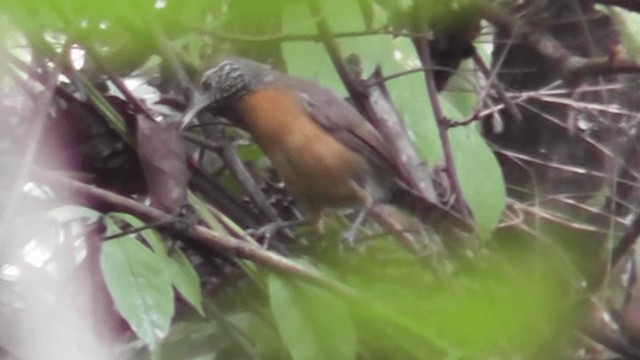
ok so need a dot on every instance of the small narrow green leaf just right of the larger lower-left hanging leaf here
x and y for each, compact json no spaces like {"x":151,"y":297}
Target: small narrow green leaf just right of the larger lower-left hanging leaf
{"x":186,"y":281}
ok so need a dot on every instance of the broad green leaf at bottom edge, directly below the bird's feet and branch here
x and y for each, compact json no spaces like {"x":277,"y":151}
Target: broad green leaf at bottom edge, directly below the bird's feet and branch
{"x":312,"y":323}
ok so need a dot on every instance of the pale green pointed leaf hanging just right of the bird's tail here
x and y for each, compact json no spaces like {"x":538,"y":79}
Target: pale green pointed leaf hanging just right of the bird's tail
{"x":480,"y":177}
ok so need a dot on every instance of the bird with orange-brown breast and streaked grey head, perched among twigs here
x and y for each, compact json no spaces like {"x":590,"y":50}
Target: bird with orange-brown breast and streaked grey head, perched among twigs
{"x":325,"y":151}
